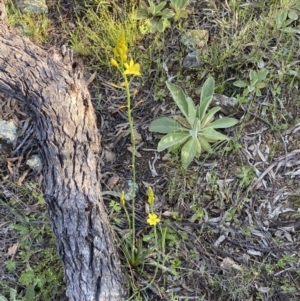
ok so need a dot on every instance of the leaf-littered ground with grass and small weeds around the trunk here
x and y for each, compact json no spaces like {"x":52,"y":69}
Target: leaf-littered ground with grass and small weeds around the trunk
{"x":229,"y":223}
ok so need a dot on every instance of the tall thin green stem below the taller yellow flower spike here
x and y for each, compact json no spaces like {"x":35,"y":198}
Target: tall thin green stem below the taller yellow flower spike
{"x":130,"y":120}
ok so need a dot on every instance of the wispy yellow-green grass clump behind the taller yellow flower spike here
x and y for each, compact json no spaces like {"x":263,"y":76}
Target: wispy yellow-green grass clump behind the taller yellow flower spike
{"x":97,"y":33}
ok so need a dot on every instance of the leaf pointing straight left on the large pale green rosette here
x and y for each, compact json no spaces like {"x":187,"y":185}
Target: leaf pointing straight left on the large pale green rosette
{"x":166,"y":125}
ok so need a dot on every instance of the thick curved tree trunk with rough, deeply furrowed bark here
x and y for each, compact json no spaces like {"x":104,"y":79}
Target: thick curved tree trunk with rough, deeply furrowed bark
{"x":52,"y":89}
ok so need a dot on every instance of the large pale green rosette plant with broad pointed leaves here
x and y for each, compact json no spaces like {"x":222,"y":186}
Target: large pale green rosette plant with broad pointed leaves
{"x":196,"y":131}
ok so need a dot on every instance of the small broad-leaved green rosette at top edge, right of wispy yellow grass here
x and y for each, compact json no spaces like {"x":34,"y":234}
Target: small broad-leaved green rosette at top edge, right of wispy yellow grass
{"x":156,"y":16}
